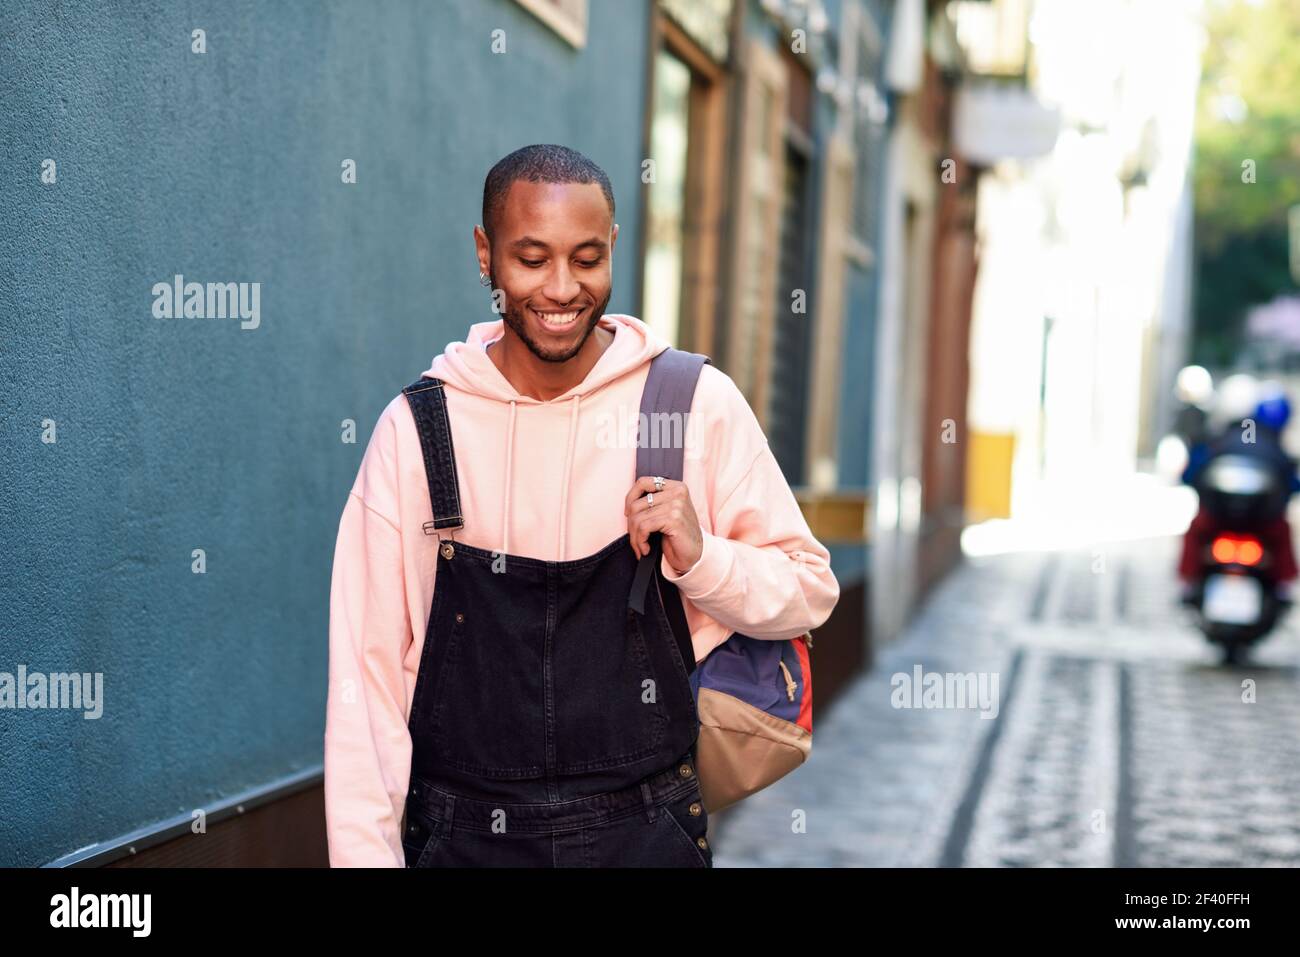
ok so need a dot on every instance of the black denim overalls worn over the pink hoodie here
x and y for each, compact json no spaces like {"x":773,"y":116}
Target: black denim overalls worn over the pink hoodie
{"x":552,"y":726}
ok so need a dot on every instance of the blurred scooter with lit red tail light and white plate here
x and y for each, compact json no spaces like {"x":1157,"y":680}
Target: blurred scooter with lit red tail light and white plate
{"x":1236,"y":596}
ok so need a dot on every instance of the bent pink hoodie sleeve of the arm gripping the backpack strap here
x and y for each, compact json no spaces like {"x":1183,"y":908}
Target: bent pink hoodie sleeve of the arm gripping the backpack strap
{"x":761,"y":573}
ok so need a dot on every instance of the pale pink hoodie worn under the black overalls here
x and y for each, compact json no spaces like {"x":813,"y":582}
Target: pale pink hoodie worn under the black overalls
{"x":538,"y":479}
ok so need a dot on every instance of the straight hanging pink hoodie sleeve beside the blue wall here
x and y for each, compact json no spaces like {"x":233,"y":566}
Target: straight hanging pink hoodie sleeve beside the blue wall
{"x":367,"y":742}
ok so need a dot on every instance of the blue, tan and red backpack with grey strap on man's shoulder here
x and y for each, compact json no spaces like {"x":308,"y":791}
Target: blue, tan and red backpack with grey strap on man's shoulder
{"x":755,"y":696}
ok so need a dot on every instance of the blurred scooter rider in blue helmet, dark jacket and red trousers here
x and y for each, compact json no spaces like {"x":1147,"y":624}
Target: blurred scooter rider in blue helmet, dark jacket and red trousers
{"x":1263,"y":443}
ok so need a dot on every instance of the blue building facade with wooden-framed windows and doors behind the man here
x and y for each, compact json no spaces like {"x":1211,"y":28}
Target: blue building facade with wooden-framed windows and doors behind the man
{"x":782,"y":180}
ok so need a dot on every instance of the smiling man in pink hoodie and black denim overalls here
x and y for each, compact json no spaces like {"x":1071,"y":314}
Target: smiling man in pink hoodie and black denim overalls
{"x":492,"y":699}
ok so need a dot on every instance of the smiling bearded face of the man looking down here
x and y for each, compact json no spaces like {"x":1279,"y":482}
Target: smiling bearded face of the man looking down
{"x":551,"y":256}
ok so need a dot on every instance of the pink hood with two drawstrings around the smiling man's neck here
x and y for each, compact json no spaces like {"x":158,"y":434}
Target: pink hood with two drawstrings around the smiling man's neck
{"x":466,"y":366}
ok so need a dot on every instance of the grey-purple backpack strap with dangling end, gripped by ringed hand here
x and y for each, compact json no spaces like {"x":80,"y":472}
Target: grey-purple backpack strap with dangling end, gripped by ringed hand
{"x":670,"y":389}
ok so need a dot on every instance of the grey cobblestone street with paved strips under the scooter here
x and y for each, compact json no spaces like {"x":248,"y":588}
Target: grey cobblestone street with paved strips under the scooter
{"x":1119,"y":739}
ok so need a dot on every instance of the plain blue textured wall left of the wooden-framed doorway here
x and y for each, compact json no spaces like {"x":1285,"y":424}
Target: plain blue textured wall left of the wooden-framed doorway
{"x":181,"y":435}
